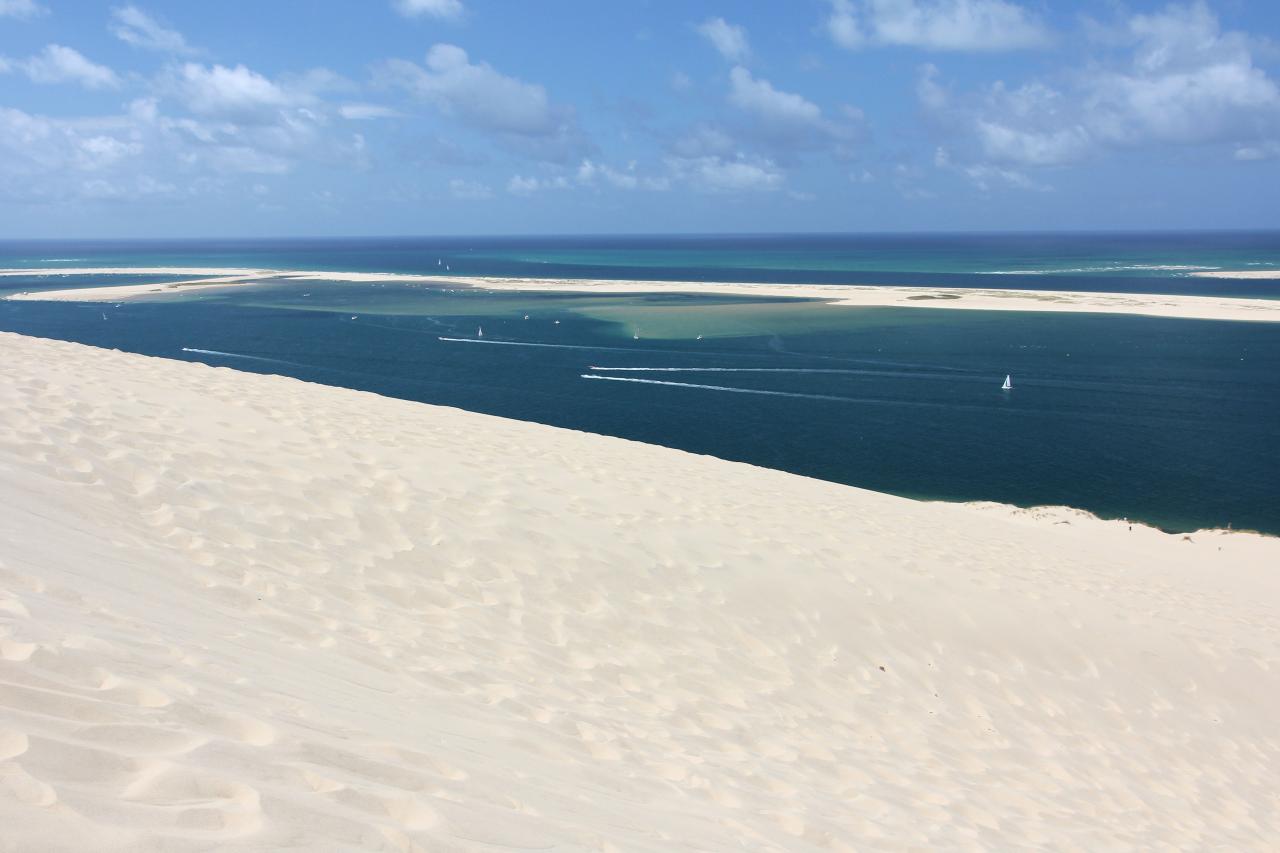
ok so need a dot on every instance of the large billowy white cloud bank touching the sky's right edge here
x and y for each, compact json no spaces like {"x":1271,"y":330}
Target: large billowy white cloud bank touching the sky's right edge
{"x":1183,"y":83}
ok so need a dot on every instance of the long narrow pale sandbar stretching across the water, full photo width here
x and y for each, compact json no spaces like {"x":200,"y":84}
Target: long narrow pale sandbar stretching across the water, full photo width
{"x":1201,"y":308}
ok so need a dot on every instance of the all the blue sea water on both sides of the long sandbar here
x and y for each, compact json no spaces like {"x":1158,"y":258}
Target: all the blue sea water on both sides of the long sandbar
{"x":1176,"y":423}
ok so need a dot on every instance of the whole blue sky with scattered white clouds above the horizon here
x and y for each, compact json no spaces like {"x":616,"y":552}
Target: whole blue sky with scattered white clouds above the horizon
{"x":484,"y":117}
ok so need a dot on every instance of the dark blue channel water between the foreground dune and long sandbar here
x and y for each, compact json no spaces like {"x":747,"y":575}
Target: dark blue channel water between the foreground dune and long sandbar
{"x":1171,"y":422}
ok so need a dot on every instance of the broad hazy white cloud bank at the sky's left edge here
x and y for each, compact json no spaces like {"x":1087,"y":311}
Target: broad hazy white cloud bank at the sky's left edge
{"x":234,"y":124}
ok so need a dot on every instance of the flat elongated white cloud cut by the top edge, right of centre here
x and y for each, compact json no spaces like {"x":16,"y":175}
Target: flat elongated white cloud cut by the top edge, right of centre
{"x":935,"y":25}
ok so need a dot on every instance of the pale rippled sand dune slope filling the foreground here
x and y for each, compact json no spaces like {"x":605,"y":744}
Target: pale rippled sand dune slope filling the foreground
{"x":249,"y":613}
